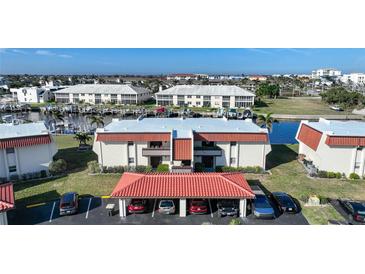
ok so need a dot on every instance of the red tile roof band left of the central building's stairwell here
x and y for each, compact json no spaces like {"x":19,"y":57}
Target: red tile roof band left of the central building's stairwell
{"x":122,"y":137}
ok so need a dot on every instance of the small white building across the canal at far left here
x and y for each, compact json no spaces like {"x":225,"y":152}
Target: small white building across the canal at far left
{"x":32,"y":94}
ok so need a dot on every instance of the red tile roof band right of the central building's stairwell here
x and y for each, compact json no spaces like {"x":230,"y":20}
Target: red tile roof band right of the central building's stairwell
{"x":232,"y":137}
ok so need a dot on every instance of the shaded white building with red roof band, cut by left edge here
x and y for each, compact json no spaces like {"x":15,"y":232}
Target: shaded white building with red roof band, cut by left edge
{"x":25,"y":149}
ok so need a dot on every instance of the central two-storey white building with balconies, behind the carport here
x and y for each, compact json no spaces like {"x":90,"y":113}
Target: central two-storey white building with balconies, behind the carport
{"x":182,"y":143}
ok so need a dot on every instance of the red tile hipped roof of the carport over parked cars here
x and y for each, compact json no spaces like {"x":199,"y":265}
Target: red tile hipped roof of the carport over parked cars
{"x":183,"y":185}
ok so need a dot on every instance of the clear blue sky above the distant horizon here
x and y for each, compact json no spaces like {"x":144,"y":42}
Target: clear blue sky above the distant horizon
{"x":164,"y":61}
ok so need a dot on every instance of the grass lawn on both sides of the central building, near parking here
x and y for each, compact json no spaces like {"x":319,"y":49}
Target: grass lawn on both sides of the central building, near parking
{"x":287,"y":175}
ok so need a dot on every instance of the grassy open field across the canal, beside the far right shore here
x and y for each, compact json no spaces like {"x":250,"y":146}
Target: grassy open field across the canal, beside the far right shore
{"x":300,"y":105}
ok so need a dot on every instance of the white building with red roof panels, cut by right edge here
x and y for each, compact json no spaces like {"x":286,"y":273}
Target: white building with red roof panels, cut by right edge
{"x":336,"y":146}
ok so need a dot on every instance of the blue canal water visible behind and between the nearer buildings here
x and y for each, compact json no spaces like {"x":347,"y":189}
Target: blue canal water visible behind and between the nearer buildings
{"x":282,"y":132}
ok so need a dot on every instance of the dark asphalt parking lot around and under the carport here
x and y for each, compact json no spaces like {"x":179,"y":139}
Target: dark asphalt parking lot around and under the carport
{"x":92,"y":211}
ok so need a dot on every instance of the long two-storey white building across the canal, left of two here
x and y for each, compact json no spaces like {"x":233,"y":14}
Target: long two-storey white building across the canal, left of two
{"x":99,"y":94}
